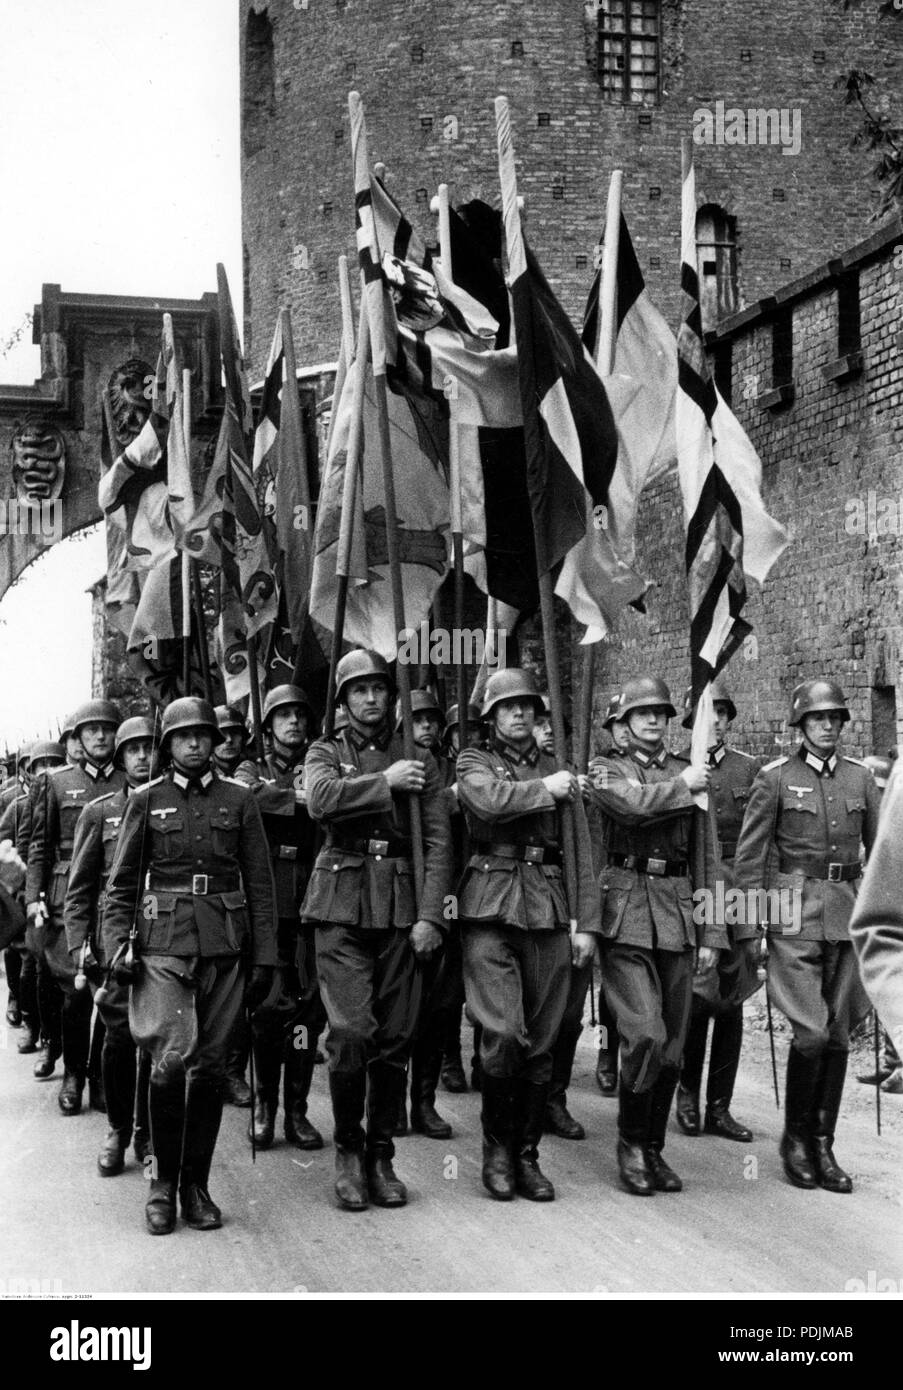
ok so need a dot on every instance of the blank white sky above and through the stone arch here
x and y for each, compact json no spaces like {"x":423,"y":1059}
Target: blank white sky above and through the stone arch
{"x":120,"y":173}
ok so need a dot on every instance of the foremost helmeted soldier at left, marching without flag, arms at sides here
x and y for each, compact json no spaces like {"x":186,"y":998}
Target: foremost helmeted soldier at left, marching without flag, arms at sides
{"x":191,"y":888}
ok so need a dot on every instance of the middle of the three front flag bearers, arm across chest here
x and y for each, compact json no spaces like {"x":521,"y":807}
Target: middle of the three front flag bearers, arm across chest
{"x":516,"y":926}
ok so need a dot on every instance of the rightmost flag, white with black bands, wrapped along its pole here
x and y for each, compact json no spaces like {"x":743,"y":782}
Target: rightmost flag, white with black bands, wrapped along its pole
{"x":729,"y":532}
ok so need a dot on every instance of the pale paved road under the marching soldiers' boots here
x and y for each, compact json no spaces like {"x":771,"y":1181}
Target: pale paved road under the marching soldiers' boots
{"x":737,"y":1228}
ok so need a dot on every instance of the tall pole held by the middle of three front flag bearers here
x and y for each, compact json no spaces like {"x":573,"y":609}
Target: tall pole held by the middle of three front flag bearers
{"x":512,"y":219}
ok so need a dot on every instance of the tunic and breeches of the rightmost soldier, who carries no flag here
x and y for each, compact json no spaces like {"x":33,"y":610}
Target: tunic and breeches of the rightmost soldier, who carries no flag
{"x":804,"y":831}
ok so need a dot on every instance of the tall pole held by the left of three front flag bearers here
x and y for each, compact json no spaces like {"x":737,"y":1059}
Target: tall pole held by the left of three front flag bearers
{"x":372,"y":300}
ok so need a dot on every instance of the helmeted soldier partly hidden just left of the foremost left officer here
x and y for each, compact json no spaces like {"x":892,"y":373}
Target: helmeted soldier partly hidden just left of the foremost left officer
{"x":94,"y":850}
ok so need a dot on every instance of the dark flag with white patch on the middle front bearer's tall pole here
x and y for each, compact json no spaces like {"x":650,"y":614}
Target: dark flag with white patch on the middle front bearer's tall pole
{"x":570,"y":437}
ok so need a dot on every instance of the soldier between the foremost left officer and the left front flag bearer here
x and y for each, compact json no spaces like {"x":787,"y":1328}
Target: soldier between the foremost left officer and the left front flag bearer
{"x":287,"y":1036}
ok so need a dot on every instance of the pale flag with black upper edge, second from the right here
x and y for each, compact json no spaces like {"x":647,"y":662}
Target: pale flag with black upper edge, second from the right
{"x":643,"y":391}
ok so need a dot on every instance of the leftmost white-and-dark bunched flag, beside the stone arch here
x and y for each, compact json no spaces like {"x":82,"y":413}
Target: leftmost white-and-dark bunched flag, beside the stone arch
{"x":151,"y":480}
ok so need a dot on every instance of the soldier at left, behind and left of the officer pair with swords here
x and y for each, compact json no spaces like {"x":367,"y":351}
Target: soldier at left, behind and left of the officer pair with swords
{"x":59,"y":799}
